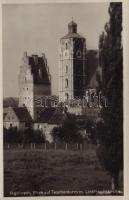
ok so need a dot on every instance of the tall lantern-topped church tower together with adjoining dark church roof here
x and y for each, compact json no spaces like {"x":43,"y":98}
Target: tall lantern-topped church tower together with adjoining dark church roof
{"x":77,"y":65}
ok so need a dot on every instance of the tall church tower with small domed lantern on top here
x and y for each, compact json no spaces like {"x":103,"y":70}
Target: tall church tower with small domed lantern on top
{"x":72,"y":59}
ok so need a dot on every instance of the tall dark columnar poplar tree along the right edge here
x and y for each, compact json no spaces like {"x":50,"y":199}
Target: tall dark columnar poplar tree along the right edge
{"x":110,"y":126}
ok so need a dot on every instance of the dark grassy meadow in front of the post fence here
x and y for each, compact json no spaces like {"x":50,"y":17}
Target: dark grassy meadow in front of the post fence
{"x":40,"y":172}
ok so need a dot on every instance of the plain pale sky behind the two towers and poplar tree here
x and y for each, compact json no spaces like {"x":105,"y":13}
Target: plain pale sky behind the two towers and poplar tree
{"x":36,"y":28}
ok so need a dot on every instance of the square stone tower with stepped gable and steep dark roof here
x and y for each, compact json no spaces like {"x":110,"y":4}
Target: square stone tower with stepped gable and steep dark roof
{"x":34,"y":80}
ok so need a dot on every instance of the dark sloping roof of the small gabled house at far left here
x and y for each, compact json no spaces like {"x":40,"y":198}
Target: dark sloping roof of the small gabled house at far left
{"x":22,"y":114}
